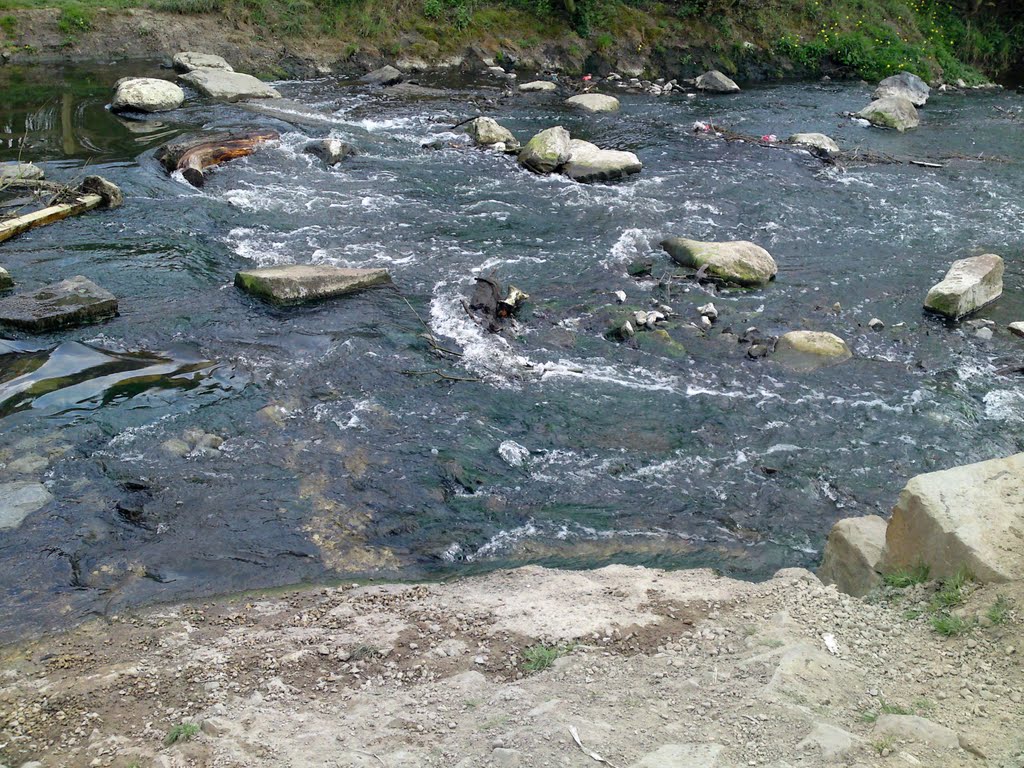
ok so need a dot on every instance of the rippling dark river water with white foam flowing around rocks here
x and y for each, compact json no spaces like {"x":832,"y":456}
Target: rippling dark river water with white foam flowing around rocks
{"x":344,"y":456}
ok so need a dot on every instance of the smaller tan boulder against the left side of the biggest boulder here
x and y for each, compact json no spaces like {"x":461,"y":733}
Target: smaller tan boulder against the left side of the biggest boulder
{"x":854,"y":554}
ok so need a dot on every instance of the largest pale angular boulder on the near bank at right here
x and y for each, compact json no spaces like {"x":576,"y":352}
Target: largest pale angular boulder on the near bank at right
{"x":970,"y":517}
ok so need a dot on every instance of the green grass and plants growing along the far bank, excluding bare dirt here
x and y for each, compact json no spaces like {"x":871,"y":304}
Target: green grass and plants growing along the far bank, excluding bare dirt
{"x":867,"y":38}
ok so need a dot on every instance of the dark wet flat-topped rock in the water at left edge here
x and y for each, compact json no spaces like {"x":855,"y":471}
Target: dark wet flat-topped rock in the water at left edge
{"x":72,"y":303}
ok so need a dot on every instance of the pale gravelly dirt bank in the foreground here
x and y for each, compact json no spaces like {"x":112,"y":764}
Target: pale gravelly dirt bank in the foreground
{"x":656,"y":669}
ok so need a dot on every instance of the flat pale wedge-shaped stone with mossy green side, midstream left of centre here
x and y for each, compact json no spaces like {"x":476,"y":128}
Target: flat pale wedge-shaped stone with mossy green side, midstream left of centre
{"x":302,"y":284}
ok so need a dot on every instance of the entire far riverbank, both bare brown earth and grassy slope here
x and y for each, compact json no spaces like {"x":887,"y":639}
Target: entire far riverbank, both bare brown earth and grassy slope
{"x":285,"y":38}
